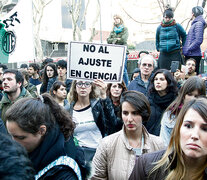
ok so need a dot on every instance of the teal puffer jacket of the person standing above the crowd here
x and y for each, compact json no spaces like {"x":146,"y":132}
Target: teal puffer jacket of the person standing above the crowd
{"x":168,"y":38}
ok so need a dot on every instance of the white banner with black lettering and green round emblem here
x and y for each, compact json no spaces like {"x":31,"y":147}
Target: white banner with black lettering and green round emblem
{"x":16,"y":34}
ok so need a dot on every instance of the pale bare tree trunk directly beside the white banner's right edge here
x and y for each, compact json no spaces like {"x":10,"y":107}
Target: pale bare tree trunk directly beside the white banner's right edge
{"x":38,"y":10}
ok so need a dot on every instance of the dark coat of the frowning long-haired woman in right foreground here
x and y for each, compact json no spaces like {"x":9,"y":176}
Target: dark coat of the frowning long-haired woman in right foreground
{"x":145,"y":163}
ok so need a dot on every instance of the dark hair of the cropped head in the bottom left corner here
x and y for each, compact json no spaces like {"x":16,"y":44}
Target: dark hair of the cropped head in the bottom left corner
{"x":14,"y":161}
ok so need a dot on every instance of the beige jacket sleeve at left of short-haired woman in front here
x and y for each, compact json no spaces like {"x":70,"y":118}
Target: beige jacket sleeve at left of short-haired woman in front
{"x":99,"y":163}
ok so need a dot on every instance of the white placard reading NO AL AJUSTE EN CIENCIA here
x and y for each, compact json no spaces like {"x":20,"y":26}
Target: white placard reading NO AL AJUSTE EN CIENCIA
{"x":89,"y":61}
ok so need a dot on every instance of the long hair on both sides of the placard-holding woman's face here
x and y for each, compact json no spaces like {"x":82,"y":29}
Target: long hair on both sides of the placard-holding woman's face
{"x":73,"y":95}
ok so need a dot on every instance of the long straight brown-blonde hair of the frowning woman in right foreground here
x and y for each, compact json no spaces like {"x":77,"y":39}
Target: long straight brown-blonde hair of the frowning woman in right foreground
{"x":176,"y":166}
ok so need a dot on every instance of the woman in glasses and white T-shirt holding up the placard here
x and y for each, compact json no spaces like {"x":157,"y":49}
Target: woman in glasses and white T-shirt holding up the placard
{"x":90,"y":114}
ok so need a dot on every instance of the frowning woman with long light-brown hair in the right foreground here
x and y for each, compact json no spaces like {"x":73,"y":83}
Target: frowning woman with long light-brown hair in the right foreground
{"x":186,"y":155}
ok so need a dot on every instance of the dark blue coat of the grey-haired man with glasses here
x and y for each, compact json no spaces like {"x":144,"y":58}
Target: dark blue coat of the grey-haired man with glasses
{"x":138,"y":85}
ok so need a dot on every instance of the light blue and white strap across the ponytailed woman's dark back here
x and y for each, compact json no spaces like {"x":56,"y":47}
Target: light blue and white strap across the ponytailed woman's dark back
{"x":62,"y":160}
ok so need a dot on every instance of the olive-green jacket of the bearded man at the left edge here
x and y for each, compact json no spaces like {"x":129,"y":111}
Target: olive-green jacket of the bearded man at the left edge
{"x":6,"y":103}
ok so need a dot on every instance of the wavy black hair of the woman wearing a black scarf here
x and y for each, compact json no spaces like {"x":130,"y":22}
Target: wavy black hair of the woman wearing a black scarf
{"x":171,"y":83}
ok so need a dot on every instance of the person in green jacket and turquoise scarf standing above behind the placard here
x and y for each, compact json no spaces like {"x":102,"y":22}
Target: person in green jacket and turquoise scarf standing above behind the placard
{"x":119,"y":35}
